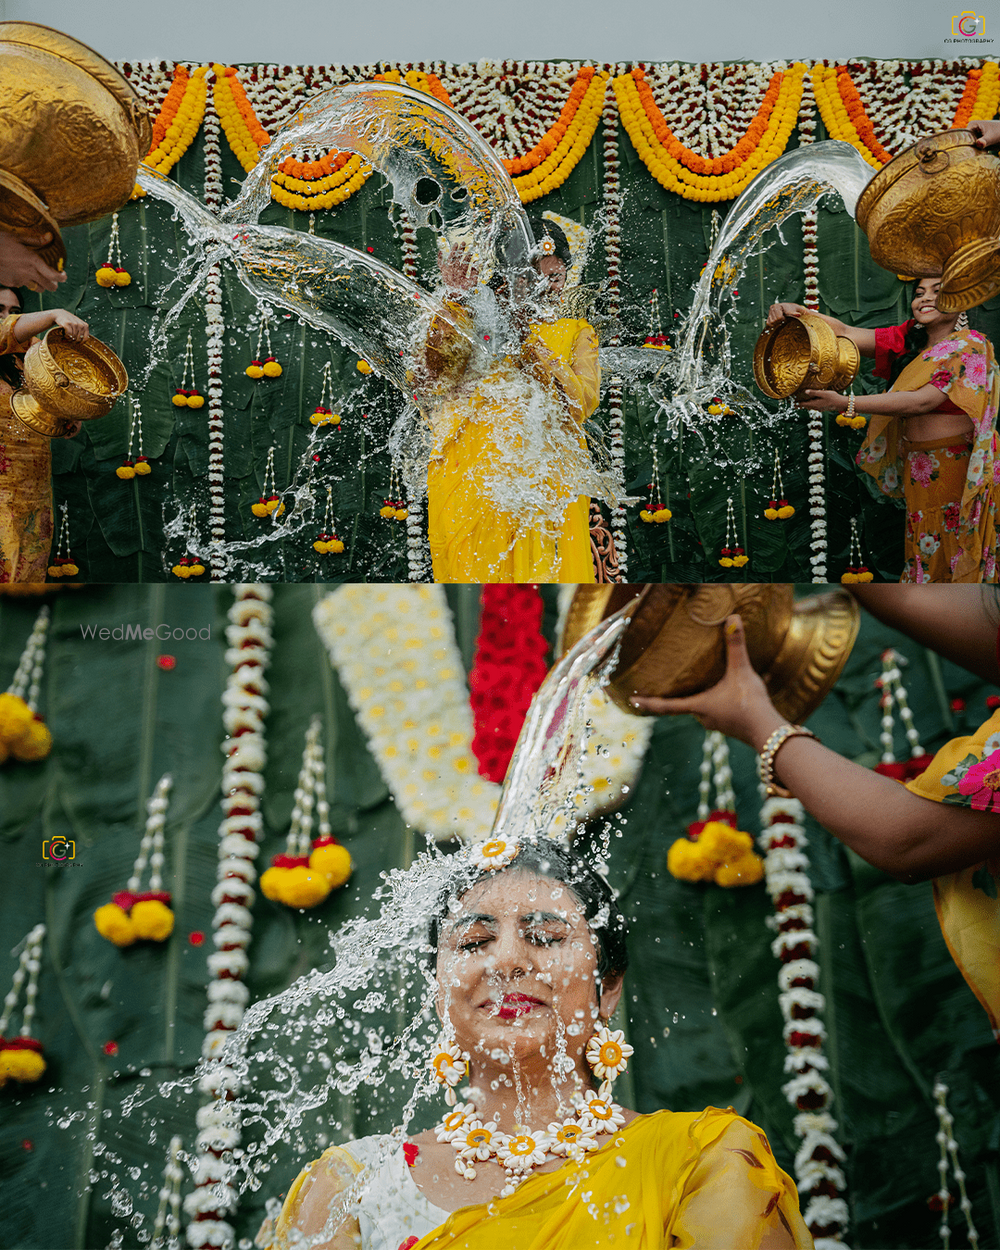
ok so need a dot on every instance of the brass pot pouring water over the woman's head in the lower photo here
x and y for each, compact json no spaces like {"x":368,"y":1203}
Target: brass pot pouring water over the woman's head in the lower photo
{"x":676,"y":647}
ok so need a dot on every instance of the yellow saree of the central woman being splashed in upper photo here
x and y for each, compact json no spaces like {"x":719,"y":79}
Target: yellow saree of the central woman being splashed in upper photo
{"x":482,"y":436}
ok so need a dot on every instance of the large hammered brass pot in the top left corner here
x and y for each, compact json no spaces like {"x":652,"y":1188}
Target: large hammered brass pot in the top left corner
{"x":72,"y":133}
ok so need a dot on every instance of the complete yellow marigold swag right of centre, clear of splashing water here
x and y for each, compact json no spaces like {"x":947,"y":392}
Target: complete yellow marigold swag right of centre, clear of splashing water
{"x":643,"y":119}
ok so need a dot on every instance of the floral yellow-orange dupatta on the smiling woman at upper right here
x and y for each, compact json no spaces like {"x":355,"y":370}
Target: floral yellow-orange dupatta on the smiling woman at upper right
{"x":964,"y":368}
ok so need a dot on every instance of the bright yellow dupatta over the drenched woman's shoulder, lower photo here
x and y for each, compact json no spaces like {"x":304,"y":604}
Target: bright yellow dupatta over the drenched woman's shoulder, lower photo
{"x":671,"y":1179}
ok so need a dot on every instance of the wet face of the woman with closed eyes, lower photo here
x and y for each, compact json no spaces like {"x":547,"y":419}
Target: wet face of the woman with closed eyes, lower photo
{"x":517,"y":972}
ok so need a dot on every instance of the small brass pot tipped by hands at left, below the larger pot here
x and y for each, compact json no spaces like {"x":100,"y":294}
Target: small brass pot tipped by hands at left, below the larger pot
{"x":68,"y":382}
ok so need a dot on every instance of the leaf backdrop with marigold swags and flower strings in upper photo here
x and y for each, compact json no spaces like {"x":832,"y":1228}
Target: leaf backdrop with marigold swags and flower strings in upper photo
{"x":647,"y":154}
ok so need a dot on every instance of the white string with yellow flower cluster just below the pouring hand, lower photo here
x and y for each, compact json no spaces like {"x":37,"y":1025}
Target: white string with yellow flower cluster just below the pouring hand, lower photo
{"x":716,"y":849}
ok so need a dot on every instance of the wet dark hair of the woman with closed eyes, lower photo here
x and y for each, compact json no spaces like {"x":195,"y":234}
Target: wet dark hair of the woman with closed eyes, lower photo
{"x":552,"y":861}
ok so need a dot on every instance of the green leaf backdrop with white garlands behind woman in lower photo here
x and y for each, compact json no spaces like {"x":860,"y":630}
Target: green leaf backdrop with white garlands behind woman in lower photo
{"x":714,"y":1014}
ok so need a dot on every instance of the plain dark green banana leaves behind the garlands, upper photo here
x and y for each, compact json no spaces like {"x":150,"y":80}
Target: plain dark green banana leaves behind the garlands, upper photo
{"x":118,"y":527}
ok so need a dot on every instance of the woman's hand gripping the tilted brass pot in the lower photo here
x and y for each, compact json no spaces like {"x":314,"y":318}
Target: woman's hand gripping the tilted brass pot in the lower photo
{"x":739,"y":706}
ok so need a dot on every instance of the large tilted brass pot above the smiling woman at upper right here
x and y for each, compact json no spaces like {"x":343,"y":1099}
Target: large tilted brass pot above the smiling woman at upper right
{"x":934,"y":212}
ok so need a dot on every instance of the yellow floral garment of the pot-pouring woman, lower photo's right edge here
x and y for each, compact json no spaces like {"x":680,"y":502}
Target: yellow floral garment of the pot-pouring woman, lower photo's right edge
{"x":967,"y":772}
